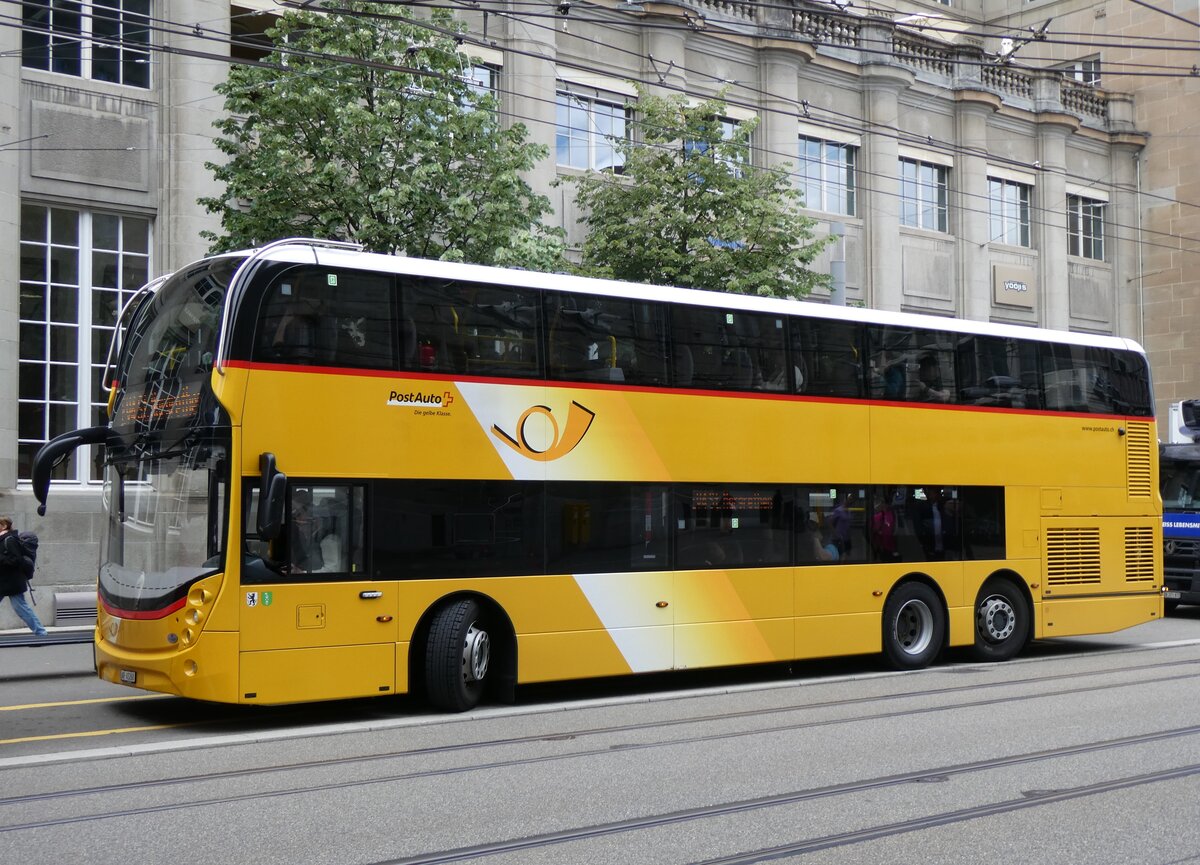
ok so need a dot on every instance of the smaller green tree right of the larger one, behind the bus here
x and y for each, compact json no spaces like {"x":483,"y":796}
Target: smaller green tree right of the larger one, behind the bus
{"x":689,"y":211}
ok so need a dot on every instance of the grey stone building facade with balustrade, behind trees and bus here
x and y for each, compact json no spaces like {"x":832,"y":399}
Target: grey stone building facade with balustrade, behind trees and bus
{"x":968,"y":181}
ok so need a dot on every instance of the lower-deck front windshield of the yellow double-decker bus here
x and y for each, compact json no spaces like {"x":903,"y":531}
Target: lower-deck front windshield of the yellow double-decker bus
{"x":166,"y":525}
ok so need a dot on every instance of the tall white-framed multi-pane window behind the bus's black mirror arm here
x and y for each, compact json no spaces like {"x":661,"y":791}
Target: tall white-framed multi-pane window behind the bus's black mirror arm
{"x":79,"y":271}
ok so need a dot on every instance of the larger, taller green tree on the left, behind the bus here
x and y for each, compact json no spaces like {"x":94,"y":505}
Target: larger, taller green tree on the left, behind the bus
{"x":365,"y":129}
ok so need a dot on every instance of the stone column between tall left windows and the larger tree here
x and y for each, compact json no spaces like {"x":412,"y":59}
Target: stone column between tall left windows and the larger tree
{"x":189,"y":107}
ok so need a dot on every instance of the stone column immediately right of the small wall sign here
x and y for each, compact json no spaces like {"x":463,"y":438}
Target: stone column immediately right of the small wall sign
{"x":1051,"y":221}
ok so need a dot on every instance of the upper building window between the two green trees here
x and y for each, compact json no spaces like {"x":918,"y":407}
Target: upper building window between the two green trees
{"x":589,"y":129}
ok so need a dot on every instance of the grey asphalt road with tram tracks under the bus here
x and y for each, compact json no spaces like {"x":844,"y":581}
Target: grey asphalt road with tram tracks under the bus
{"x":1081,"y":752}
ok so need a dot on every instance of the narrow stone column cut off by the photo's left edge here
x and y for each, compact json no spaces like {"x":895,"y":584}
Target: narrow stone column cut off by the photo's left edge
{"x":10,"y":249}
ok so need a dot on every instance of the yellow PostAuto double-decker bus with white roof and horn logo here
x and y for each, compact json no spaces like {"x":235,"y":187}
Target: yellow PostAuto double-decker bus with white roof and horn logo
{"x":334,"y":474}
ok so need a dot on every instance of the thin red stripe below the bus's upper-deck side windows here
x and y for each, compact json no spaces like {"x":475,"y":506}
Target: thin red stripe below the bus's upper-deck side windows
{"x":650,"y":389}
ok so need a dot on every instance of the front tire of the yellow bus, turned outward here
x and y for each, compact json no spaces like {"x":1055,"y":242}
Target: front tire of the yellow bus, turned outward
{"x":458,"y":657}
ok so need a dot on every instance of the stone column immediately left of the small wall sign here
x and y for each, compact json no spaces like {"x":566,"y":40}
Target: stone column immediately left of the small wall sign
{"x":971,"y":220}
